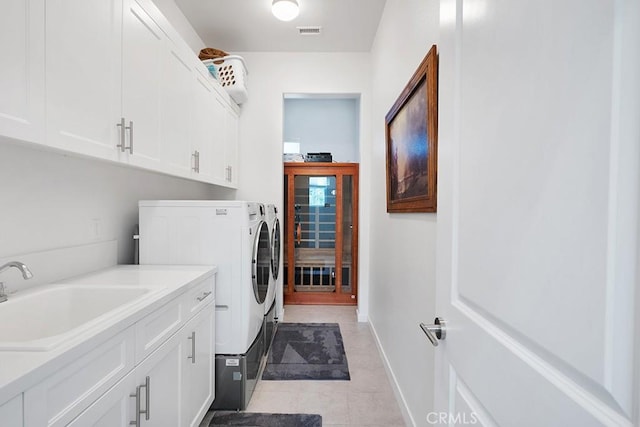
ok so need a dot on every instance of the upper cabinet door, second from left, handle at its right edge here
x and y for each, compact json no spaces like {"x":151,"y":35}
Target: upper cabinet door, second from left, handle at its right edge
{"x":83,"y":76}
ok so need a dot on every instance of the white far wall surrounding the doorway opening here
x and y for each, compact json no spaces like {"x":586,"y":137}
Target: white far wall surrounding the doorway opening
{"x":273,"y":74}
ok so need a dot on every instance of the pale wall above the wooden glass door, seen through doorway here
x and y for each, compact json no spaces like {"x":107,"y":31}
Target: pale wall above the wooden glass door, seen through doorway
{"x":324,"y":125}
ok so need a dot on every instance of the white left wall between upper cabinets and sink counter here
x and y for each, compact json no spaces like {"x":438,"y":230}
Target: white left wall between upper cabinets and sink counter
{"x":51,"y":200}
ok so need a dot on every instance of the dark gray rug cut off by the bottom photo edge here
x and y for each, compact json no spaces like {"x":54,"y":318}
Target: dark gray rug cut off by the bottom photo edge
{"x":233,"y":418}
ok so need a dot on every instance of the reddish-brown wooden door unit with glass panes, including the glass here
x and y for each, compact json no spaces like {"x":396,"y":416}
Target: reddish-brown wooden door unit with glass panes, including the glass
{"x":321,"y":233}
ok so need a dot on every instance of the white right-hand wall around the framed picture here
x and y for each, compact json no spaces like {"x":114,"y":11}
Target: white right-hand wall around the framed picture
{"x":402,"y":291}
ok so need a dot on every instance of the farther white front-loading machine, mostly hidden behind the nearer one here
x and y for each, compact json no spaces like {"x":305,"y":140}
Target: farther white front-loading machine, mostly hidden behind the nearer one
{"x":271,"y":313}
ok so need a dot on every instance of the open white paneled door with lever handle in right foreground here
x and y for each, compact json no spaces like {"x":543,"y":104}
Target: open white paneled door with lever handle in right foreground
{"x":539,"y":151}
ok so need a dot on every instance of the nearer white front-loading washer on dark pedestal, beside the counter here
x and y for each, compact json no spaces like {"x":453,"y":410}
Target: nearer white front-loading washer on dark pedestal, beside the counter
{"x":234,"y":236}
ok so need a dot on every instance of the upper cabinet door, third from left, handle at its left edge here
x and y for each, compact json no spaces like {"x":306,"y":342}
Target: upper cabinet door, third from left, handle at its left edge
{"x":144,"y":46}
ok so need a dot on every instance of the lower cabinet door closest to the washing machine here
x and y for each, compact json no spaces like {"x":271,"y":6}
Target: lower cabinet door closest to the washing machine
{"x":198,"y":336}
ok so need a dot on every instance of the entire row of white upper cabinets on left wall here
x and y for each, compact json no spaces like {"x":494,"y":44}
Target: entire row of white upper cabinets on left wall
{"x":111,"y":79}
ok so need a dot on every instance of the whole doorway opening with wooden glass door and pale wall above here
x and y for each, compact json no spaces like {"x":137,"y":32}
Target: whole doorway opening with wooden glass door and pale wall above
{"x":321,"y":199}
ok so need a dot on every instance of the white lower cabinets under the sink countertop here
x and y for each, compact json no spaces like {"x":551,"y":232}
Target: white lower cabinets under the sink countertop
{"x":157,"y":372}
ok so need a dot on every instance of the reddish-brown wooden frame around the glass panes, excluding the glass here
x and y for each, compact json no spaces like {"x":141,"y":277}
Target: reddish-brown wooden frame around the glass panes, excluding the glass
{"x":339,"y":170}
